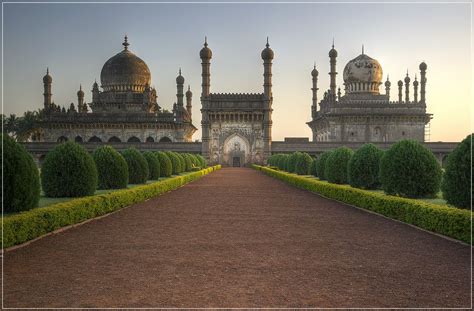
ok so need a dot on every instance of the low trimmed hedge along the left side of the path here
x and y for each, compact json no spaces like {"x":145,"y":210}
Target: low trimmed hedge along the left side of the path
{"x":26,"y":226}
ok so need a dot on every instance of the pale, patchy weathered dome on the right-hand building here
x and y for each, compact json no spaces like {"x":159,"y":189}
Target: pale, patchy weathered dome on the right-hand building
{"x":363,"y":74}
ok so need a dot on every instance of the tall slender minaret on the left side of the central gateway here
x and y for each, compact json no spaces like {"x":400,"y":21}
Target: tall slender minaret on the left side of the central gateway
{"x":205,"y":55}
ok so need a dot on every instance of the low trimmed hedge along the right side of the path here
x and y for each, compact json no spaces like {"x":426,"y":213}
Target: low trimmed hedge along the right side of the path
{"x":452,"y":222}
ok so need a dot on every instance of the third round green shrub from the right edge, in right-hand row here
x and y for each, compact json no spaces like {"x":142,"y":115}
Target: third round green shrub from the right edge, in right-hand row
{"x":364,"y":166}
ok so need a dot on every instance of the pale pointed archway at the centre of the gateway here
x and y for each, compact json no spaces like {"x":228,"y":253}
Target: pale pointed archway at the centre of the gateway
{"x":236,"y":150}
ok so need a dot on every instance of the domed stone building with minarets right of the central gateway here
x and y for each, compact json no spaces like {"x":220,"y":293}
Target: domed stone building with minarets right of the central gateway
{"x":362,"y":114}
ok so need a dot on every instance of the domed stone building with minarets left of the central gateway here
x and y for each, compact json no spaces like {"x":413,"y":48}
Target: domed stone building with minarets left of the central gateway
{"x":126,"y":110}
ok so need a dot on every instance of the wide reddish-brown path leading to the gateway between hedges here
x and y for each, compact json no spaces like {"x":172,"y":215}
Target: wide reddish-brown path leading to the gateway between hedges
{"x":238,"y":238}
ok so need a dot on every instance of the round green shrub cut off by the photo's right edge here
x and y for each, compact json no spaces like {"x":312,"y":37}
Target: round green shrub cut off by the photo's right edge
{"x":457,"y":185}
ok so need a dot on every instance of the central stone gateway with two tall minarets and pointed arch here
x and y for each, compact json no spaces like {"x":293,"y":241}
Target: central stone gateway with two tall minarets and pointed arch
{"x":236,"y":128}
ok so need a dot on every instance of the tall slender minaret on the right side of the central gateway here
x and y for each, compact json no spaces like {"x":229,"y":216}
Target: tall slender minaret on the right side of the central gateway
{"x":267,"y":56}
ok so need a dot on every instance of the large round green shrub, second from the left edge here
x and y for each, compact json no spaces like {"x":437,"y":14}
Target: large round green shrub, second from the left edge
{"x":69,"y":171}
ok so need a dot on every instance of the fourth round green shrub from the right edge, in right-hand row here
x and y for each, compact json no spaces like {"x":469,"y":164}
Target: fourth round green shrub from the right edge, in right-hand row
{"x":336,"y":165}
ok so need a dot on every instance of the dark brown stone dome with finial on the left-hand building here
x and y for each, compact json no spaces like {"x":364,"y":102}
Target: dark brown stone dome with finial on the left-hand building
{"x":125,"y":72}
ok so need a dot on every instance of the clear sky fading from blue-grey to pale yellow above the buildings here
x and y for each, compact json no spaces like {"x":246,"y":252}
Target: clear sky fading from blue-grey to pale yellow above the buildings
{"x":75,"y":40}
